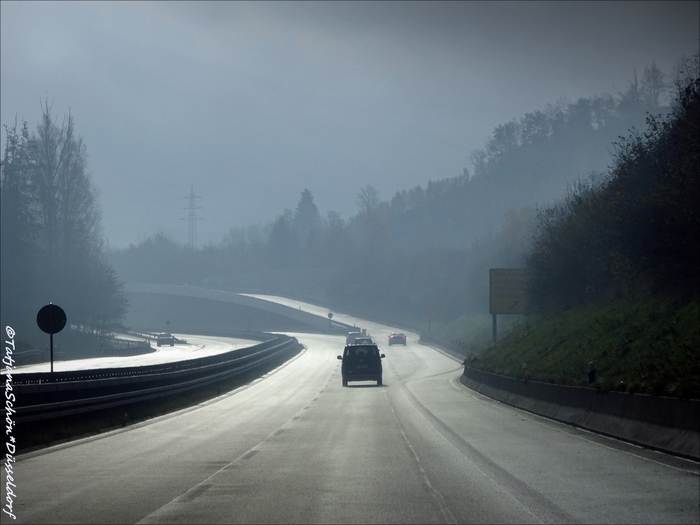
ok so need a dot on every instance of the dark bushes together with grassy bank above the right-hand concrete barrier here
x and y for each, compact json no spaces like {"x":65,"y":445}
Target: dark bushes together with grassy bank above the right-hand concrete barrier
{"x":615,"y":269}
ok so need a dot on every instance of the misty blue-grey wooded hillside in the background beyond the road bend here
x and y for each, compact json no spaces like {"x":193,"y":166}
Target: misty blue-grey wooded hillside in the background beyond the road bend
{"x":423,"y":255}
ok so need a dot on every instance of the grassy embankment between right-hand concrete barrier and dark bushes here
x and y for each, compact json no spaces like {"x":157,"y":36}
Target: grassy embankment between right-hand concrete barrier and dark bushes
{"x":647,"y":347}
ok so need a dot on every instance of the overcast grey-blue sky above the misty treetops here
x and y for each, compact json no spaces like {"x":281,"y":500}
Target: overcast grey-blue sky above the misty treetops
{"x":250,"y":103}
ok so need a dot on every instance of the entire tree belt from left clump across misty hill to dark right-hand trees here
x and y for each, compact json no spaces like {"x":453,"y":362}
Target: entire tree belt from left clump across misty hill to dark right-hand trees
{"x":557,"y":190}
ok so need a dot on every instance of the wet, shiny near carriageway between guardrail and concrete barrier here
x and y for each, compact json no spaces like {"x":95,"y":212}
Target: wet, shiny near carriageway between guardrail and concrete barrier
{"x":297,"y":447}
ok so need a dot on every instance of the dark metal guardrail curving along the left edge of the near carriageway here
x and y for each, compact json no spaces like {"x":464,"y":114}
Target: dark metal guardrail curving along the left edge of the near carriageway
{"x":42,"y":396}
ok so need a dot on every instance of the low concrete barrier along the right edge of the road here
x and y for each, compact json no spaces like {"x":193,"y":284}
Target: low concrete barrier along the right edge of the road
{"x":667,"y":424}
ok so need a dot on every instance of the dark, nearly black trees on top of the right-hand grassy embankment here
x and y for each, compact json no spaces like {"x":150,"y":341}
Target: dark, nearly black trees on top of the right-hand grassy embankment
{"x":636,"y":231}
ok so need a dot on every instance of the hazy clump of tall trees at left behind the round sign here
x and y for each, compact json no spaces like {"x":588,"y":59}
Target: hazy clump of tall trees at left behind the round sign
{"x":52,"y":248}
